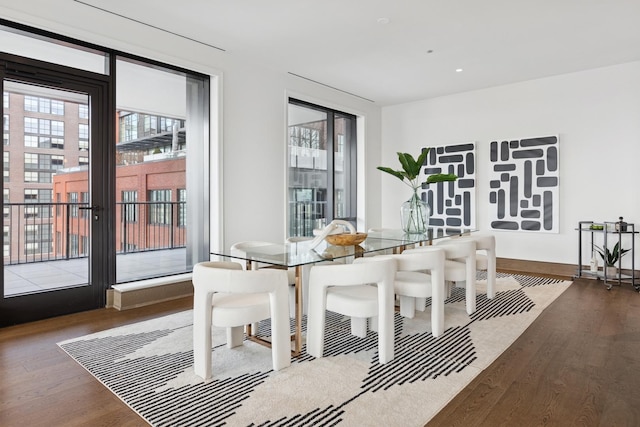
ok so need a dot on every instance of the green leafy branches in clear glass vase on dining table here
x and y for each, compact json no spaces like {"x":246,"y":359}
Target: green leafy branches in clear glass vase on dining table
{"x":415,"y":212}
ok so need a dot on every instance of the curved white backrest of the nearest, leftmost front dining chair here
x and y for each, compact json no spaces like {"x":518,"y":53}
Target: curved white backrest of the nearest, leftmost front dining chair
{"x":228,"y":277}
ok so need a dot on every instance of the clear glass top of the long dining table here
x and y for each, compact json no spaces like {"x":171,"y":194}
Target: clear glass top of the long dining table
{"x":292,"y":254}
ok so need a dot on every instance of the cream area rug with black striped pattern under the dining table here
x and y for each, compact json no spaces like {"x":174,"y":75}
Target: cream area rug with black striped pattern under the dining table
{"x":148,"y":365}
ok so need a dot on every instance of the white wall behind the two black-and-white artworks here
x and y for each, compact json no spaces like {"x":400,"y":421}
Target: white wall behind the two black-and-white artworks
{"x":595,"y":113}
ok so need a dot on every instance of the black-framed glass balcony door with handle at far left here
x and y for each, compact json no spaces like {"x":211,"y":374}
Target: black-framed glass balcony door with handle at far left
{"x":56,"y":236}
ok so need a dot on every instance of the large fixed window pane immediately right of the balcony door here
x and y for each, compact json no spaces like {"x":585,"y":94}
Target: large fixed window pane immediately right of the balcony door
{"x":152,"y":160}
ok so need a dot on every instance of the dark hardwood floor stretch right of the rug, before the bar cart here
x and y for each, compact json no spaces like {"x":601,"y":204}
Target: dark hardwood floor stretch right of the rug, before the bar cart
{"x":578,"y":364}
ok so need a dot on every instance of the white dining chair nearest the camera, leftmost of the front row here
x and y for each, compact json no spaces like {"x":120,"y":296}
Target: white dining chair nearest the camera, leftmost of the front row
{"x":227,"y":296}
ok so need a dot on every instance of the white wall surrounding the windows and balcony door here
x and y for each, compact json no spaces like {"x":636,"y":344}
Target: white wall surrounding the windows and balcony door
{"x":249,"y":152}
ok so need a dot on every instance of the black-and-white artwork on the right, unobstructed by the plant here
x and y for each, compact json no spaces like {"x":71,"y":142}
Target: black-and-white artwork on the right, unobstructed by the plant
{"x":524,"y":184}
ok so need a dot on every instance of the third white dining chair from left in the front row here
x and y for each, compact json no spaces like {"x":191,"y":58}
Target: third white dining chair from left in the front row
{"x":419,"y":275}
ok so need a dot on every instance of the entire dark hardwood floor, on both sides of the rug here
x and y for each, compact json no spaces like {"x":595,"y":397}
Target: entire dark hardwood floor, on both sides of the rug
{"x":578,"y":364}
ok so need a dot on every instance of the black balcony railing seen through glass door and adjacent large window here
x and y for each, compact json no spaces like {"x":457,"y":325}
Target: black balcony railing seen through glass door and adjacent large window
{"x":36,"y":232}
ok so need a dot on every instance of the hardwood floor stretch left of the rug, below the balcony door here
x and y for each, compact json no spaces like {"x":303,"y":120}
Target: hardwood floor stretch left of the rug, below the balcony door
{"x":41,"y":386}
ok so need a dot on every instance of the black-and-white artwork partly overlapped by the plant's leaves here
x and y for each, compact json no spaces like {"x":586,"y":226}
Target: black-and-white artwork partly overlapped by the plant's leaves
{"x":453,"y":204}
